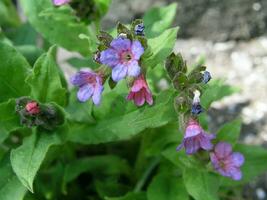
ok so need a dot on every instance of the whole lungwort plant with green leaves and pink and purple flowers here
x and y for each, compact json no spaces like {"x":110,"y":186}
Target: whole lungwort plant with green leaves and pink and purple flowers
{"x":110,"y":131}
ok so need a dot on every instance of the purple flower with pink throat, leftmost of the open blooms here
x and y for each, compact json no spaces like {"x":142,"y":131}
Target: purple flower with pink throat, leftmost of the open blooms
{"x":90,"y":85}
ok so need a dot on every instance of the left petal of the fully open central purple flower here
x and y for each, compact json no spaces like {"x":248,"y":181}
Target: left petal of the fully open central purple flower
{"x":109,"y":57}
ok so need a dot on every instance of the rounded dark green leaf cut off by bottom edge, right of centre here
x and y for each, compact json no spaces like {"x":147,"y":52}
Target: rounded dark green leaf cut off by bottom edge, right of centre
{"x":166,"y":186}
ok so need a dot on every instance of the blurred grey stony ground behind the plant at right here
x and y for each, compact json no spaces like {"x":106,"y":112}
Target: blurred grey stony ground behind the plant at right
{"x":231,"y":36}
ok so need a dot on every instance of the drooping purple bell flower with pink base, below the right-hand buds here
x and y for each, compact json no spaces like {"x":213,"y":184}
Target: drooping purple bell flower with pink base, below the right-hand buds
{"x":195,"y":138}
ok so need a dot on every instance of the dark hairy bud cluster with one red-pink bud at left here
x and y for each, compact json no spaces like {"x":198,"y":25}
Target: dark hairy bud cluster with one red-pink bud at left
{"x":33,"y":114}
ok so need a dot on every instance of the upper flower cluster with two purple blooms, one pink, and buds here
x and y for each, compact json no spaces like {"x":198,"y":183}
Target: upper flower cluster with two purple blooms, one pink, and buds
{"x":119,"y":58}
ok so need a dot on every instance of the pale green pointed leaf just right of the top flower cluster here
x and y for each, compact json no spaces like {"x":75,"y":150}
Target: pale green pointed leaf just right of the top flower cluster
{"x":160,"y":50}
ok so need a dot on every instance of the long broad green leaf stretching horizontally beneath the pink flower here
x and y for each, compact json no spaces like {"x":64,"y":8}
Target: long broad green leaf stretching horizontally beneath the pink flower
{"x":124,"y":125}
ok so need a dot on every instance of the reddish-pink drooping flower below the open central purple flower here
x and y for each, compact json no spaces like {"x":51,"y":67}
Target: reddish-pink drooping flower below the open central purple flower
{"x":140,"y":92}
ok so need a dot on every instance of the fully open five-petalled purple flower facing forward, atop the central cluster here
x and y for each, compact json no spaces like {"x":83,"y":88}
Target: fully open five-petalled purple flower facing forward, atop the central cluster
{"x":123,"y":56}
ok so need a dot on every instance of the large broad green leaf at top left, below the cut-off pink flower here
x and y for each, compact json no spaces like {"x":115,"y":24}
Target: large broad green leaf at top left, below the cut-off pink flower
{"x":58,"y":25}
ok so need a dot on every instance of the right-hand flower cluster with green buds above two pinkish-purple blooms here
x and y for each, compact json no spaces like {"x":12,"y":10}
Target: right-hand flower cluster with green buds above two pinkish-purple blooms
{"x":226,"y":162}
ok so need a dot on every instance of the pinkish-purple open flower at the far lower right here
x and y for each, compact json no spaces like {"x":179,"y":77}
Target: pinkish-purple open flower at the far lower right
{"x":226,"y":162}
